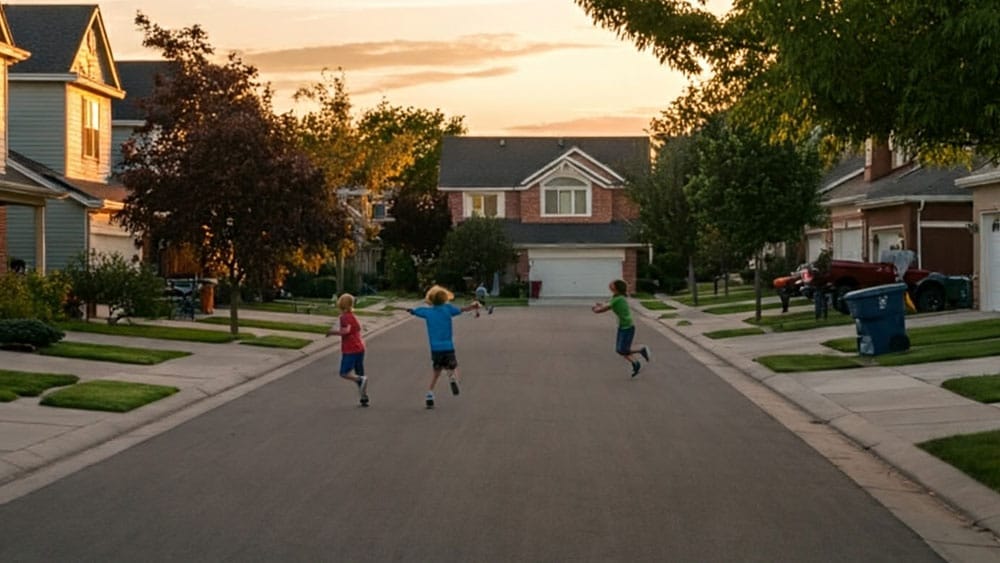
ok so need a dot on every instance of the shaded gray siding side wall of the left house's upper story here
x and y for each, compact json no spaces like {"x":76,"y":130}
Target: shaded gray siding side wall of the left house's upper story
{"x":37,"y":114}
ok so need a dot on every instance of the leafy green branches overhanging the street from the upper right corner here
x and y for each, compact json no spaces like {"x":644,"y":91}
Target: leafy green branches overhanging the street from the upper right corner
{"x":922,"y":71}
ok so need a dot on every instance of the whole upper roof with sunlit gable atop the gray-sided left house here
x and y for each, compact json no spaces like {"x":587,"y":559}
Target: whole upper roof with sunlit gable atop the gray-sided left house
{"x":64,"y":39}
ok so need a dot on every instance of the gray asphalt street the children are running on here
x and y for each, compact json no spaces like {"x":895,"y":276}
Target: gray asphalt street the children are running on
{"x":551,"y":453}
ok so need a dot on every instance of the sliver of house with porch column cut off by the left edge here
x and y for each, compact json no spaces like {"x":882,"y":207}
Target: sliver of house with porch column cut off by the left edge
{"x":15,"y":187}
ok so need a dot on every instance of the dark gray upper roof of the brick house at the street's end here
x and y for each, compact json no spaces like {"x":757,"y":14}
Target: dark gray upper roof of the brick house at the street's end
{"x":498,"y":162}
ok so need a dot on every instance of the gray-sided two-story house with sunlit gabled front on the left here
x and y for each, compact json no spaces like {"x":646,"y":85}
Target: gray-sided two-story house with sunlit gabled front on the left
{"x":60,"y":123}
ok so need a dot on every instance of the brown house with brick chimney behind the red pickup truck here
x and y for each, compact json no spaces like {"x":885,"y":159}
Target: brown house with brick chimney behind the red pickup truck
{"x":886,"y":200}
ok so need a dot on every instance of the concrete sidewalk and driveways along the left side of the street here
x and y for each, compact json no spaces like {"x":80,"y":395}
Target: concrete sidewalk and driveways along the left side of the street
{"x":34,"y":437}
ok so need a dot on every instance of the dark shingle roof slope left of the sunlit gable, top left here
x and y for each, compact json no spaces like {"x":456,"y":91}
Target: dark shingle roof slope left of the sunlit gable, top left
{"x":52,"y":33}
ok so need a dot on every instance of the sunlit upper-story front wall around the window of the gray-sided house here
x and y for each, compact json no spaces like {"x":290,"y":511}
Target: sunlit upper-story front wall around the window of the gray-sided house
{"x":78,"y":166}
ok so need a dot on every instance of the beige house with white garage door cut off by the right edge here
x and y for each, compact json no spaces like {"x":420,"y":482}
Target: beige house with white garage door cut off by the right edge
{"x":984,"y":185}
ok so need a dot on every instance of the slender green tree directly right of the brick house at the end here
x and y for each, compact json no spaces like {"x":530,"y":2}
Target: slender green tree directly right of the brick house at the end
{"x":665,"y":218}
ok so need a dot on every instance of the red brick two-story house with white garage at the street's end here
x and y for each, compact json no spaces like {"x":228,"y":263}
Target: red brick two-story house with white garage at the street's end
{"x":562,"y":200}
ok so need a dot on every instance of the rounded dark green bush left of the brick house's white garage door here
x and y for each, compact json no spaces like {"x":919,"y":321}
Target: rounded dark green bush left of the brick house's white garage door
{"x":478,"y":247}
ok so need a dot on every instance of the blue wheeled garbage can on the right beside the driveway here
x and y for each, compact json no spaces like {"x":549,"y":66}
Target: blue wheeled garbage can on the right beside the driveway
{"x":879,"y":319}
